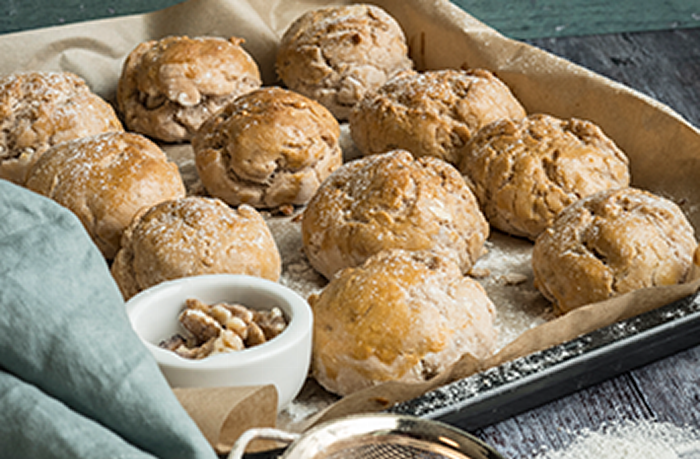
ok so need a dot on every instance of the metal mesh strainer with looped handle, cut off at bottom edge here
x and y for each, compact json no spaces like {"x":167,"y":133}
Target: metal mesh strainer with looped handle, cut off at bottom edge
{"x":374,"y":436}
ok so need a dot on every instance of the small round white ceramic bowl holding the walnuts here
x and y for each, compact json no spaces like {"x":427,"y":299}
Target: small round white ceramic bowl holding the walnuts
{"x":283,"y":361}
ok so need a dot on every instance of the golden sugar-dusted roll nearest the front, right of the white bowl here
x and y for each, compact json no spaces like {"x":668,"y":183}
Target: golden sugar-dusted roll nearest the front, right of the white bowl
{"x":401,"y":316}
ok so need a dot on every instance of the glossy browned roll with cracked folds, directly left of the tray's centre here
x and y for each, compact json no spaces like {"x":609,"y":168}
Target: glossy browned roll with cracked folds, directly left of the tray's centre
{"x":269,"y":148}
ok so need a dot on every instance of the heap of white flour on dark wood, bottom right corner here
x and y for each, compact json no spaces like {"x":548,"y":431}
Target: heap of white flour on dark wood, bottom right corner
{"x":640,"y":439}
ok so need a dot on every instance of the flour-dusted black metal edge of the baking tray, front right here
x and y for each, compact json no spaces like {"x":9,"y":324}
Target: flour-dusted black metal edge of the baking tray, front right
{"x":525,"y":383}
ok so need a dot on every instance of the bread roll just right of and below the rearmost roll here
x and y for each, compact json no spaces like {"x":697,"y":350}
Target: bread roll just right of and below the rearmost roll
{"x":432,"y":113}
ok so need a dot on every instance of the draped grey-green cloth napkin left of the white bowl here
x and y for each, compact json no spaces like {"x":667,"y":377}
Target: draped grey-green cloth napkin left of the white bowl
{"x":74,"y":370}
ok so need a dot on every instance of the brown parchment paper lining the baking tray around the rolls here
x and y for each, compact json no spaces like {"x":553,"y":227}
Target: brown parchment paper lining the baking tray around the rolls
{"x":663,"y":148}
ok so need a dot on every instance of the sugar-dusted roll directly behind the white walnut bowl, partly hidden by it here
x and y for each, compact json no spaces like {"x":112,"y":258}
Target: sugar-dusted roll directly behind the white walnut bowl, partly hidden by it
{"x":191,"y":236}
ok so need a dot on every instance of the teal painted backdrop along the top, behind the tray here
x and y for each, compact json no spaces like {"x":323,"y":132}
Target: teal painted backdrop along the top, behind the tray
{"x":520,"y":19}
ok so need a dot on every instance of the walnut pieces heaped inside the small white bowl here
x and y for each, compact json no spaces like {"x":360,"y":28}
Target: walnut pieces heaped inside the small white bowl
{"x":223,"y":327}
